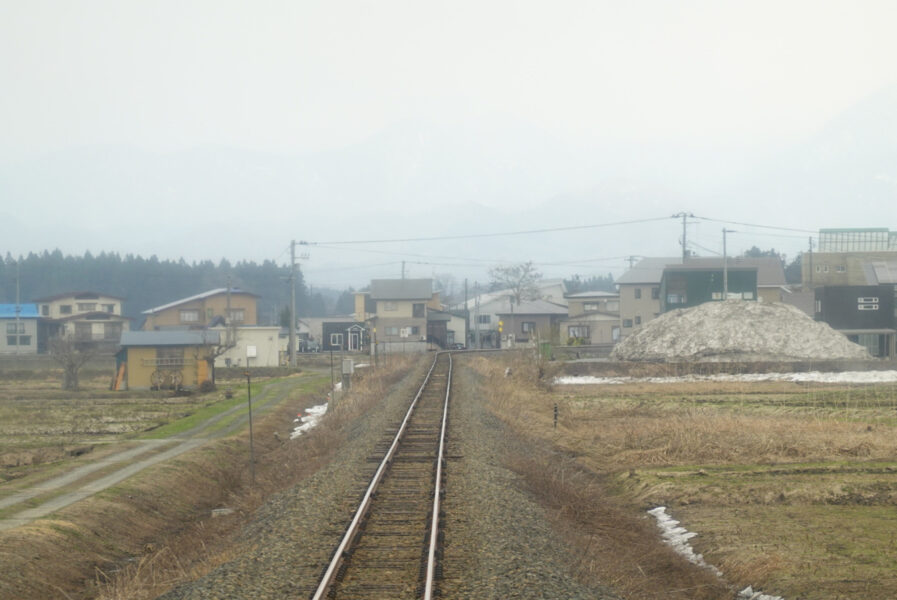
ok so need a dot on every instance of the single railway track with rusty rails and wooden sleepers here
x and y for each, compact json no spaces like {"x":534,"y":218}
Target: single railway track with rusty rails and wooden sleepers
{"x":391,"y":548}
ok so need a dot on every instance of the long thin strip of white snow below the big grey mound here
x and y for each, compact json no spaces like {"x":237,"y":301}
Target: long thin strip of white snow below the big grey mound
{"x":808,"y":377}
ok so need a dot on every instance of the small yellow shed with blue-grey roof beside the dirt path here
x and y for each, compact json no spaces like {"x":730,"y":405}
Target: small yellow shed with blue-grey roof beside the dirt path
{"x":166,"y":359}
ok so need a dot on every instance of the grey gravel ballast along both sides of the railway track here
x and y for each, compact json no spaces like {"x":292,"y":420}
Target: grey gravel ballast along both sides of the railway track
{"x":499,"y":543}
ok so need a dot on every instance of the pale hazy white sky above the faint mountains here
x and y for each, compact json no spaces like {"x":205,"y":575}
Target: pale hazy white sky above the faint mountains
{"x":293,"y":76}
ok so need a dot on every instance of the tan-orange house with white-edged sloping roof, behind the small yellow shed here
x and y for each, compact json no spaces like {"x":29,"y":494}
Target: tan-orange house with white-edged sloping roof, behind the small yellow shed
{"x":204,"y":310}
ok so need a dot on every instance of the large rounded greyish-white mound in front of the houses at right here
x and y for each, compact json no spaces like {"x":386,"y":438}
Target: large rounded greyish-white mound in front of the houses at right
{"x":736,"y":330}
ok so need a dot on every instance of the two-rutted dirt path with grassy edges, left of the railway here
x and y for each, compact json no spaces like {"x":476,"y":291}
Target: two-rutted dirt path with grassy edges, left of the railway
{"x":96,"y":476}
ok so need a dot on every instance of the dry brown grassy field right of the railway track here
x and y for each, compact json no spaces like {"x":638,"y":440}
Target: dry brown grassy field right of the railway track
{"x":791,"y":488}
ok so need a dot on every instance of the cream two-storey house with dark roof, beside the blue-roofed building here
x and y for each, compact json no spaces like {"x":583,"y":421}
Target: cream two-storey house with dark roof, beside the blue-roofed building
{"x":84,"y":316}
